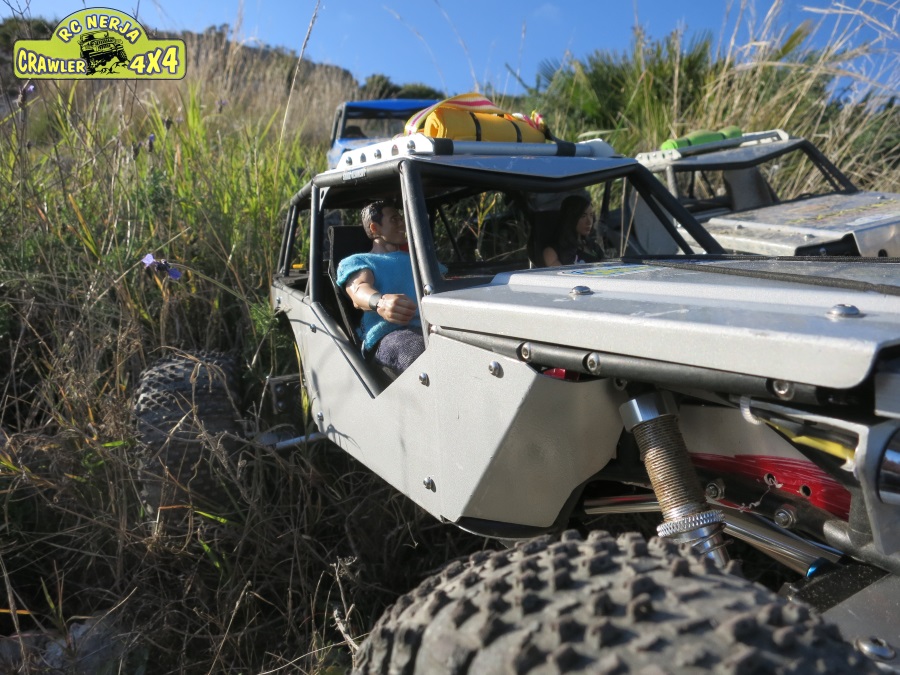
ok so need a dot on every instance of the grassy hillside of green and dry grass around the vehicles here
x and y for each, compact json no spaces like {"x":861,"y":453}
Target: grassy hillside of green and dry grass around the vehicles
{"x":310,"y":548}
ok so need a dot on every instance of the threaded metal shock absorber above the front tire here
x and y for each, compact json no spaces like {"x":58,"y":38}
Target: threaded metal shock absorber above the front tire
{"x":687,"y":518}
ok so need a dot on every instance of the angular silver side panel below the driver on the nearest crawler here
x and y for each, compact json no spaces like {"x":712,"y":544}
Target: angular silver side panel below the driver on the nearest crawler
{"x":468,"y":430}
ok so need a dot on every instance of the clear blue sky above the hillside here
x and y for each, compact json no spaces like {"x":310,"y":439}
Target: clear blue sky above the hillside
{"x":456,"y":46}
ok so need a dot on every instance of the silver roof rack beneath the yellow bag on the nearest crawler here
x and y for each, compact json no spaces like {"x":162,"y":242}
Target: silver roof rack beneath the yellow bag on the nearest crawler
{"x":421,"y":145}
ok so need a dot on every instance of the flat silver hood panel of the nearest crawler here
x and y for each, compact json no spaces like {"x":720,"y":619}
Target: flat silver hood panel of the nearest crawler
{"x":761,"y":327}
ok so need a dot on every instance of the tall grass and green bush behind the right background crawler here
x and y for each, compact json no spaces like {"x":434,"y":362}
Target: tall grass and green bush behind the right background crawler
{"x":841,"y":95}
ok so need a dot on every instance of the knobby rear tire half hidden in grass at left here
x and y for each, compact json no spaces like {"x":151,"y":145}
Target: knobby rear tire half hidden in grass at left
{"x":186,"y":408}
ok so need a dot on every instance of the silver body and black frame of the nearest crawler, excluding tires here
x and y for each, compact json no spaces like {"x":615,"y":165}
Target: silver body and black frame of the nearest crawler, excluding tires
{"x":738,"y":395}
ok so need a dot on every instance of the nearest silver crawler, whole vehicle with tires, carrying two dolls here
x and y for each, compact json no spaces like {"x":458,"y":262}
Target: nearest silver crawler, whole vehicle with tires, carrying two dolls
{"x":735,"y":397}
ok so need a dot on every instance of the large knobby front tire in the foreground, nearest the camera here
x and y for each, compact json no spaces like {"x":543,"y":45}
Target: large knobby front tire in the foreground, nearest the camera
{"x":600,"y":605}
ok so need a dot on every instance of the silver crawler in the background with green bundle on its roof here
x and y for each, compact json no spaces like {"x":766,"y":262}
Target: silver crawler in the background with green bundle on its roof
{"x":743,"y":189}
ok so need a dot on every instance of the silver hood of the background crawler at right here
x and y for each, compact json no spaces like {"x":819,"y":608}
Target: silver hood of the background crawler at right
{"x":873,"y":218}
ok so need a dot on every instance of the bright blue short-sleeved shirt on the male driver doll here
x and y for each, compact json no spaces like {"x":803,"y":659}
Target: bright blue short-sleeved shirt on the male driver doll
{"x":393,"y":274}
